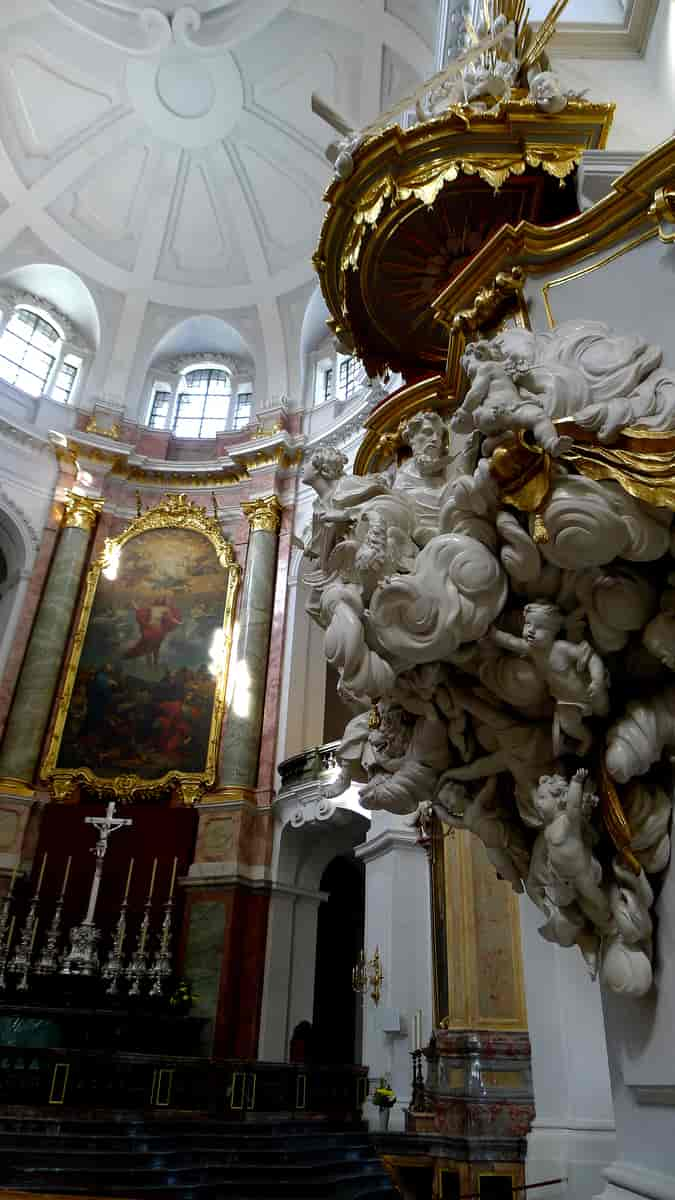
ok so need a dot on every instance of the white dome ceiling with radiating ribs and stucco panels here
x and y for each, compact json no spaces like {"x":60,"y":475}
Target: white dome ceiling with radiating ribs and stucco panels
{"x":170,"y":152}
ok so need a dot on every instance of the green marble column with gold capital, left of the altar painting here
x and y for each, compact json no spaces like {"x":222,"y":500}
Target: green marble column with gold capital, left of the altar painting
{"x":29,"y":716}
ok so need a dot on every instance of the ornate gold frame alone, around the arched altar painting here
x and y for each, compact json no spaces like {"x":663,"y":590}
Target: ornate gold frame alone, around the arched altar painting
{"x":174,"y":513}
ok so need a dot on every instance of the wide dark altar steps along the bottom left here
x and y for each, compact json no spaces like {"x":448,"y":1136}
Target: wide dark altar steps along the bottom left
{"x":189,"y":1161}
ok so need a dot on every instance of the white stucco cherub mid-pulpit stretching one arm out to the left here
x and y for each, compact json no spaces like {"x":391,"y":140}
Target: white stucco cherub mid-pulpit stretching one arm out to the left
{"x":574,"y":671}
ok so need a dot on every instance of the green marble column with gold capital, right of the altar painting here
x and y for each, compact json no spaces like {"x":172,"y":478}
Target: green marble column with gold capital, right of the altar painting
{"x":241,"y":745}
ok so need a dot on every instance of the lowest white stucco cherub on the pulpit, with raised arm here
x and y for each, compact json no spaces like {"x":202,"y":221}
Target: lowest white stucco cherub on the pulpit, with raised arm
{"x":565,"y":811}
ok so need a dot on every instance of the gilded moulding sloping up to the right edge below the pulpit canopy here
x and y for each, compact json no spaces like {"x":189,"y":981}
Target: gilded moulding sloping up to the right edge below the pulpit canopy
{"x":537,"y":249}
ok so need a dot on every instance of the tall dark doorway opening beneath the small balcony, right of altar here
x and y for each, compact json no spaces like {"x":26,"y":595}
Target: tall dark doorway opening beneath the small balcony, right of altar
{"x":338,"y":945}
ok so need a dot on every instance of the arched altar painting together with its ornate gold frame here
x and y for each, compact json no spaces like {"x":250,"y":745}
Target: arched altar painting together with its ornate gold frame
{"x":147,"y":661}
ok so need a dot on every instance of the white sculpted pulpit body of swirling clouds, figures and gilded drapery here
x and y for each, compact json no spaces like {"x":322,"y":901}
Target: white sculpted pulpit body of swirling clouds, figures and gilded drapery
{"x":503,"y":611}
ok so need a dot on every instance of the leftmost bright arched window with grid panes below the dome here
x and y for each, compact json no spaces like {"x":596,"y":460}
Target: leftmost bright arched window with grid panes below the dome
{"x":32,"y":356}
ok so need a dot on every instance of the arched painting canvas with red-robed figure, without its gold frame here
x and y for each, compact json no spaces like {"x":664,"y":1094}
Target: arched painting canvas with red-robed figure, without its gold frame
{"x":144,"y":698}
